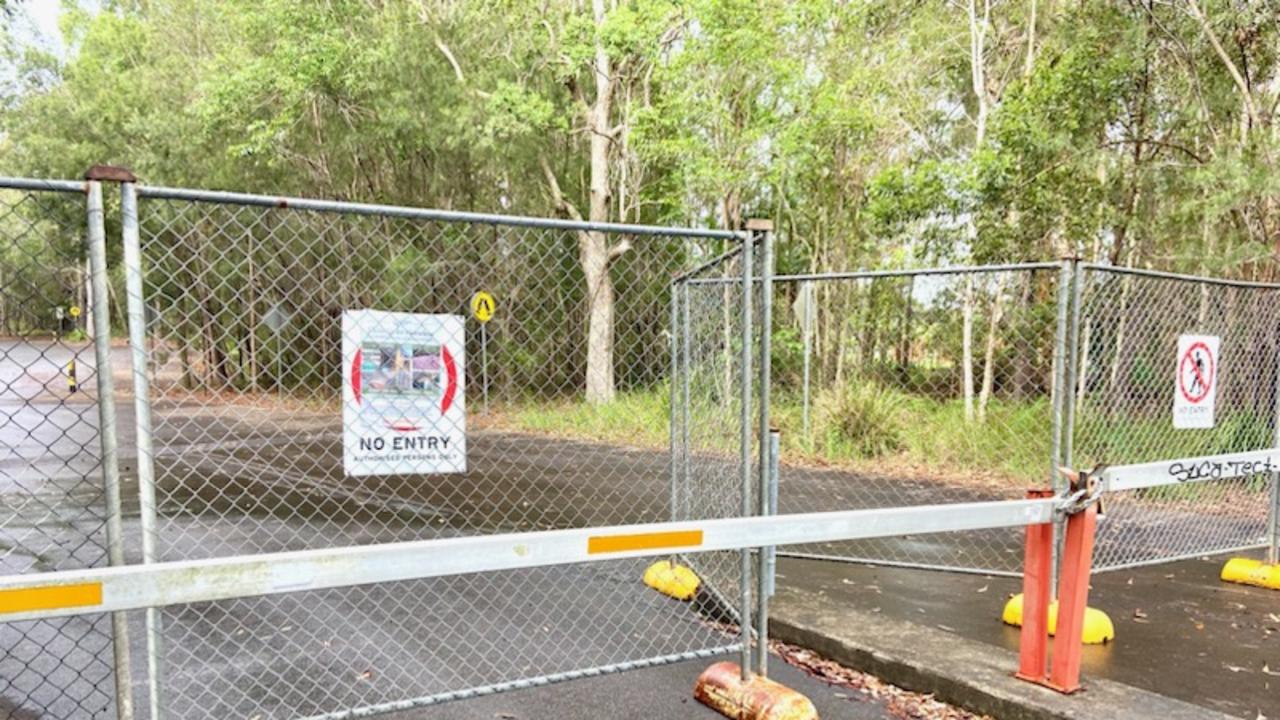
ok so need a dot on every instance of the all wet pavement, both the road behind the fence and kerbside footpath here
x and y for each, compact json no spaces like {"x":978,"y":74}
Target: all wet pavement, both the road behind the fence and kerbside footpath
{"x":254,"y":479}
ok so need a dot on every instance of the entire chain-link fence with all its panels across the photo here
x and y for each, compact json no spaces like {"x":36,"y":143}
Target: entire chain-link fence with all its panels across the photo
{"x":612,"y":375}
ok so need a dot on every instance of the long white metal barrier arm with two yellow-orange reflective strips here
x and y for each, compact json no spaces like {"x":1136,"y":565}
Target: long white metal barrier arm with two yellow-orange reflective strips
{"x":79,"y":593}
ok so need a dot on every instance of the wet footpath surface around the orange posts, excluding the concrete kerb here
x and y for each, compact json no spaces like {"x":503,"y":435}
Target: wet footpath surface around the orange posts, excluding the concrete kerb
{"x":1181,"y":632}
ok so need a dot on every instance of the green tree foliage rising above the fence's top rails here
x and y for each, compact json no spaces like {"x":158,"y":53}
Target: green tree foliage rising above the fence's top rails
{"x":1119,"y":135}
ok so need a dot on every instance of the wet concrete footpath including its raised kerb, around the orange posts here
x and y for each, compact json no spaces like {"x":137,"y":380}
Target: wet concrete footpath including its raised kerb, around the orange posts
{"x":1188,"y":646}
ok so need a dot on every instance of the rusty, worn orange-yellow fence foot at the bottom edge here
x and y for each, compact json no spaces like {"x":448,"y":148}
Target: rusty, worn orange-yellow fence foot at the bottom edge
{"x":721,"y":687}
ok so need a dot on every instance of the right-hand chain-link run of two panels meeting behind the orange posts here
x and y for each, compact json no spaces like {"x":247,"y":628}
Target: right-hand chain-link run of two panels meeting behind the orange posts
{"x":943,"y":386}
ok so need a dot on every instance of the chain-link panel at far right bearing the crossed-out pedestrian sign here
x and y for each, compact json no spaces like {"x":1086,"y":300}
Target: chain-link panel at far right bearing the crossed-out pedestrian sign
{"x":1153,"y":348}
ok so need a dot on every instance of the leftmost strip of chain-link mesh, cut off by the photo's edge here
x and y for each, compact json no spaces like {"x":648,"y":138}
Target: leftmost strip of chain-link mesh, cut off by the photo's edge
{"x":53,"y":507}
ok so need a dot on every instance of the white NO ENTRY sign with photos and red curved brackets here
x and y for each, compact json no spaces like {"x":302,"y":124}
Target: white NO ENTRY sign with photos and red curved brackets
{"x":403,"y":393}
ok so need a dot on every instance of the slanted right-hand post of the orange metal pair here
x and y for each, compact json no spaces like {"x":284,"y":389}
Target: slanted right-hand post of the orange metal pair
{"x":1073,"y":599}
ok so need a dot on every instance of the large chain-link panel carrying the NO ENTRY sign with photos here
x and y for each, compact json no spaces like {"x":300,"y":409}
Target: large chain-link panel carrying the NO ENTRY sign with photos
{"x":563,"y":397}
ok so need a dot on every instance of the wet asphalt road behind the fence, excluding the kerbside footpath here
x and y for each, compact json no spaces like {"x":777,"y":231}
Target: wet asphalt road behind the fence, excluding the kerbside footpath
{"x":263,"y":477}
